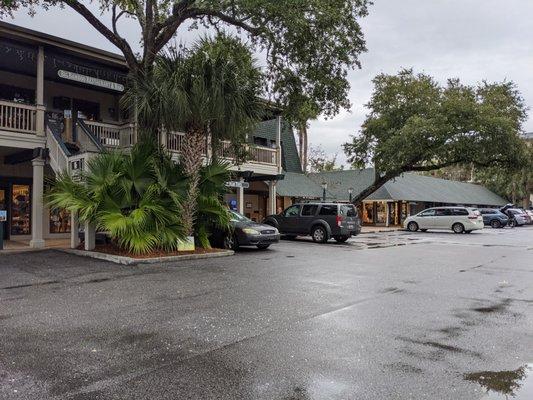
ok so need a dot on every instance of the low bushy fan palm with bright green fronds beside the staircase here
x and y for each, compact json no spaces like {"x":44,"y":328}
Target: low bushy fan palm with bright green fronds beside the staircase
{"x":135,"y":197}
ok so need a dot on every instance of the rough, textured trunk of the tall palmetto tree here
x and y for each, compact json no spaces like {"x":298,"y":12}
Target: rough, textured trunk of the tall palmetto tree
{"x":191,"y":160}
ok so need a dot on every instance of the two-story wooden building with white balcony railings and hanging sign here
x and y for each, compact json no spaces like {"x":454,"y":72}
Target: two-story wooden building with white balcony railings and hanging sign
{"x":59,"y":104}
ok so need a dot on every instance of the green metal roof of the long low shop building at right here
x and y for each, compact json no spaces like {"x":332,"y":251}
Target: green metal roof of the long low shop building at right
{"x":409,"y":186}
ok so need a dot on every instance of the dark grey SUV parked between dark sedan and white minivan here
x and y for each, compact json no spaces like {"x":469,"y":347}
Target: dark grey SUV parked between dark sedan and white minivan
{"x":321,"y":221}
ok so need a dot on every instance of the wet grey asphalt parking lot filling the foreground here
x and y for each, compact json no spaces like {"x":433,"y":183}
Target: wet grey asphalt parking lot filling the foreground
{"x":385,"y":316}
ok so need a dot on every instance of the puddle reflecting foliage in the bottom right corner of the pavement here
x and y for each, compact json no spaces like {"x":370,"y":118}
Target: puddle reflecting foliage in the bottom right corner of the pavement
{"x":516,"y":385}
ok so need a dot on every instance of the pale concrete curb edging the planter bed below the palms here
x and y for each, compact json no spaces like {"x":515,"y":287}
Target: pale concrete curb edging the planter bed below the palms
{"x":131,"y":261}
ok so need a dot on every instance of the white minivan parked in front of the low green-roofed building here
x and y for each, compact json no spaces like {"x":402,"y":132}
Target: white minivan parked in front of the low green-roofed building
{"x":458,"y":219}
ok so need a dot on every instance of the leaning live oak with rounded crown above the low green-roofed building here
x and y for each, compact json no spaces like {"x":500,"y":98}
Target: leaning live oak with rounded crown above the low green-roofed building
{"x":416,"y":124}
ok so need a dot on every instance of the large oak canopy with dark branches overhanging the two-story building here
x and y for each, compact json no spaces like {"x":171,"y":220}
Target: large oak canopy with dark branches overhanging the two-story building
{"x":308,"y":43}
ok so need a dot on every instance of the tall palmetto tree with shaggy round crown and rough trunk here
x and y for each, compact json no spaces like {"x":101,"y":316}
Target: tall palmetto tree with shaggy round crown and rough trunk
{"x":210,"y":91}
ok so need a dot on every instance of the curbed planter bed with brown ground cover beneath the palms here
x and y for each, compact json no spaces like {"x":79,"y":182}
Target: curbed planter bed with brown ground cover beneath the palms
{"x":114,"y":254}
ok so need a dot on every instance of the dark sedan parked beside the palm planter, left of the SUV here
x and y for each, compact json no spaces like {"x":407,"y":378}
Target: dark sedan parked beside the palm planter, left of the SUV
{"x":245,"y":232}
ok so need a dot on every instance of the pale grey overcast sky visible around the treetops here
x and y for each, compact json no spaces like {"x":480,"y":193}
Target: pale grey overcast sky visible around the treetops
{"x":469,"y":39}
